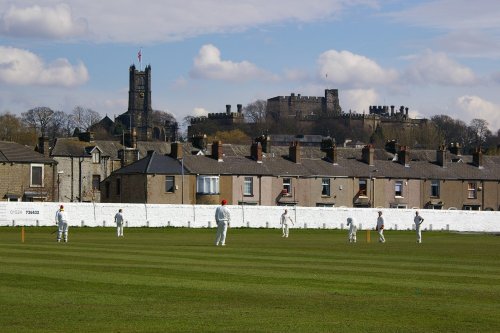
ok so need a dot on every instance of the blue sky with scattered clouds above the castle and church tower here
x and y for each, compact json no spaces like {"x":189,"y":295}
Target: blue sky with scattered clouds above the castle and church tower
{"x":435,"y":56}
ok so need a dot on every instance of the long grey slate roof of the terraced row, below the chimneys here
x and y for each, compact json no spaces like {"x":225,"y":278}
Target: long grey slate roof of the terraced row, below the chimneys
{"x":422,"y":165}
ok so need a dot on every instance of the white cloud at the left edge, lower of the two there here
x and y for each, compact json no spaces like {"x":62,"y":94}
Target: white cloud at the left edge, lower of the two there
{"x":21,"y":67}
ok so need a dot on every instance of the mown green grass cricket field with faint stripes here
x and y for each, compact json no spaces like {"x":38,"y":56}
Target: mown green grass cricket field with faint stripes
{"x":176,"y":280}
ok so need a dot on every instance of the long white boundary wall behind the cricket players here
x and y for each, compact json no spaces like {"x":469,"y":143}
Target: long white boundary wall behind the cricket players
{"x":202,"y":216}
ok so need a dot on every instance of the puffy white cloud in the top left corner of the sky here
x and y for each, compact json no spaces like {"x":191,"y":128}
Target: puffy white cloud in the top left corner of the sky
{"x":38,"y":21}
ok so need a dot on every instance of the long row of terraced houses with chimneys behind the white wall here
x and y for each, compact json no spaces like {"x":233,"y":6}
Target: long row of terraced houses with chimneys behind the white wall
{"x":259,"y":174}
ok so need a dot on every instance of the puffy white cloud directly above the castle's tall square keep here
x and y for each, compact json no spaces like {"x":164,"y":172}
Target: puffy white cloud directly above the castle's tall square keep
{"x":352,"y":70}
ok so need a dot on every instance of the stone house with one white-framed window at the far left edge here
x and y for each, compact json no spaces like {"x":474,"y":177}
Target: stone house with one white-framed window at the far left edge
{"x":27,"y":175}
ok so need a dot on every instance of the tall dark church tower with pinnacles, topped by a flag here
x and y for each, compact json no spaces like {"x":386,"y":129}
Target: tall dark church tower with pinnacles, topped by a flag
{"x":139,"y":103}
